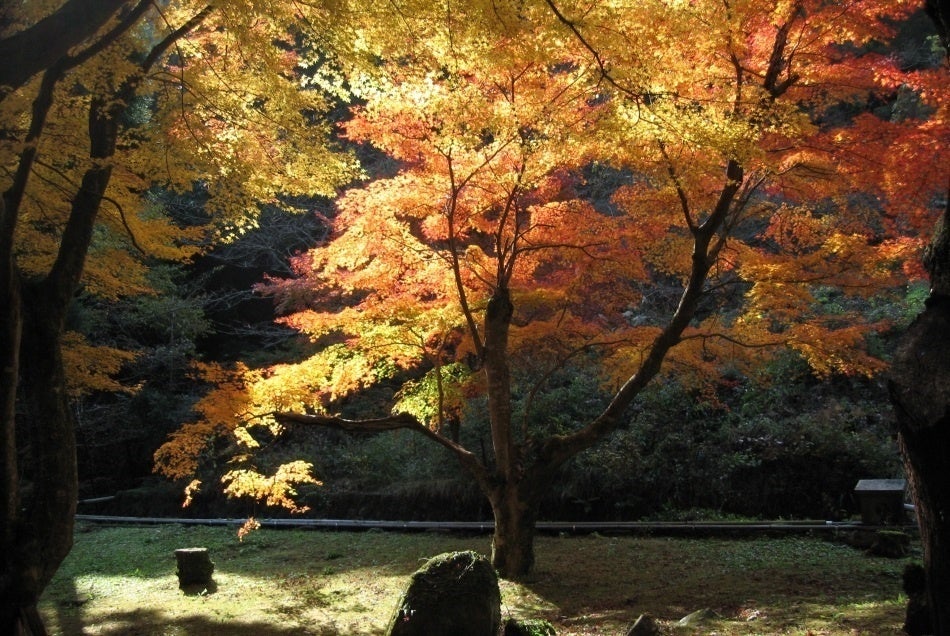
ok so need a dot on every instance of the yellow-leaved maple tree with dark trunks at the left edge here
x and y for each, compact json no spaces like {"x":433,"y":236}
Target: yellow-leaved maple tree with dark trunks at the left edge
{"x":102,"y":105}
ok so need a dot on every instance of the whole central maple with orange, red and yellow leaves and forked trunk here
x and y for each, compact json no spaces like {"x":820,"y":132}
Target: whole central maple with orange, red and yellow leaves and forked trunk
{"x":555,"y":163}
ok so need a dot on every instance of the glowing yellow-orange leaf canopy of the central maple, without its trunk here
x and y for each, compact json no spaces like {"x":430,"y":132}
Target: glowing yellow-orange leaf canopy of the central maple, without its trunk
{"x":487,"y":116}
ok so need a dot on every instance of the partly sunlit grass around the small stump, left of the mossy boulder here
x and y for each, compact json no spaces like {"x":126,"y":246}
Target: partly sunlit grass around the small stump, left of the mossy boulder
{"x":122,"y":581}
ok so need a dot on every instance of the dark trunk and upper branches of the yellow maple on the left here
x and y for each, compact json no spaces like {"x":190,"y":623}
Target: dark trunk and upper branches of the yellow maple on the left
{"x":37,"y":529}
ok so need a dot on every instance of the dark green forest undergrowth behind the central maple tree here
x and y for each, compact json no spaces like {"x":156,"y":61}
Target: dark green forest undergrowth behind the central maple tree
{"x":784,"y":445}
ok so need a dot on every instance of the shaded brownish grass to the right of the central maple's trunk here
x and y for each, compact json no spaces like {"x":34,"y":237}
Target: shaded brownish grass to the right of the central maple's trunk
{"x":754,"y":586}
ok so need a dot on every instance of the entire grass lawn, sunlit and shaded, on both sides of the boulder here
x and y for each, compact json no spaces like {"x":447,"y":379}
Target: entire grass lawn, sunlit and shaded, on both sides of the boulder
{"x":122,"y":581}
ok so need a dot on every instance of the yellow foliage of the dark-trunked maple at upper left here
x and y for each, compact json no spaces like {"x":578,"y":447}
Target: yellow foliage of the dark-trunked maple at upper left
{"x":223,"y":108}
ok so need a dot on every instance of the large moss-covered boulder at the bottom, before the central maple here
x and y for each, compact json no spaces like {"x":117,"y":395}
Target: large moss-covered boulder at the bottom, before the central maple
{"x":453,"y":594}
